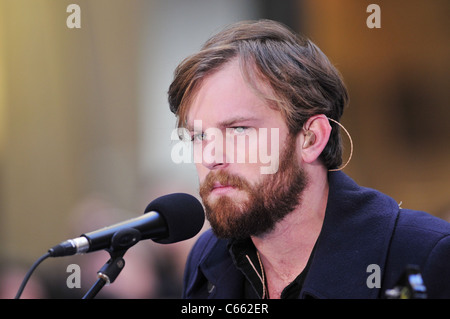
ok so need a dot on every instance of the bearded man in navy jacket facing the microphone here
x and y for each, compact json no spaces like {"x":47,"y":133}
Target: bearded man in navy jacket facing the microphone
{"x":303,"y":229}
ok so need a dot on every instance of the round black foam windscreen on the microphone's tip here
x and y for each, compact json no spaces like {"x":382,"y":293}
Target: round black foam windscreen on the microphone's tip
{"x":183,"y":214}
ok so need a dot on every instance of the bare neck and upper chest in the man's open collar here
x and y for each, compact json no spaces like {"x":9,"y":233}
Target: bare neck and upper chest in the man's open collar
{"x":286,"y":249}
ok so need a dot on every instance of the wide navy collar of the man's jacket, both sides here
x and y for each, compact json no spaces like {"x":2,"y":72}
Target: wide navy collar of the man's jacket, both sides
{"x":355,"y":234}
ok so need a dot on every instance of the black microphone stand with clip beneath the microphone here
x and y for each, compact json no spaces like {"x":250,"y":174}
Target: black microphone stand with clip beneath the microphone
{"x":120,"y":243}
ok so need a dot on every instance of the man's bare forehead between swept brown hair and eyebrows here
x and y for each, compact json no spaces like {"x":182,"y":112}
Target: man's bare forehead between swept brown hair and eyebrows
{"x":225,"y":96}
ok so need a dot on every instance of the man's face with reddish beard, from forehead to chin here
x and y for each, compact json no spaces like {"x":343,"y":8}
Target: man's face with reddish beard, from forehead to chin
{"x":241,"y":198}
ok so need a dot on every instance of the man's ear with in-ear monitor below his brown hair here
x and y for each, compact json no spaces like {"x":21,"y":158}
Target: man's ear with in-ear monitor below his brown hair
{"x":314,"y":137}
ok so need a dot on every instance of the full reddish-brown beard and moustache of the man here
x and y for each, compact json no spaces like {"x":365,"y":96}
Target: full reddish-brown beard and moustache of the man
{"x":266,"y":204}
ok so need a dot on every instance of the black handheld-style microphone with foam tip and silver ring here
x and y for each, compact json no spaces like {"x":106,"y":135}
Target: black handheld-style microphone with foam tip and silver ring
{"x":167,"y":219}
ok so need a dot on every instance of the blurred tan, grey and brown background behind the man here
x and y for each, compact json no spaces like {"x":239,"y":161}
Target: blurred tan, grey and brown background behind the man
{"x":85,"y":126}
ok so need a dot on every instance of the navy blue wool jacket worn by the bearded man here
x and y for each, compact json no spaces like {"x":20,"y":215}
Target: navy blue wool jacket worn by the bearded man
{"x":361,"y":227}
